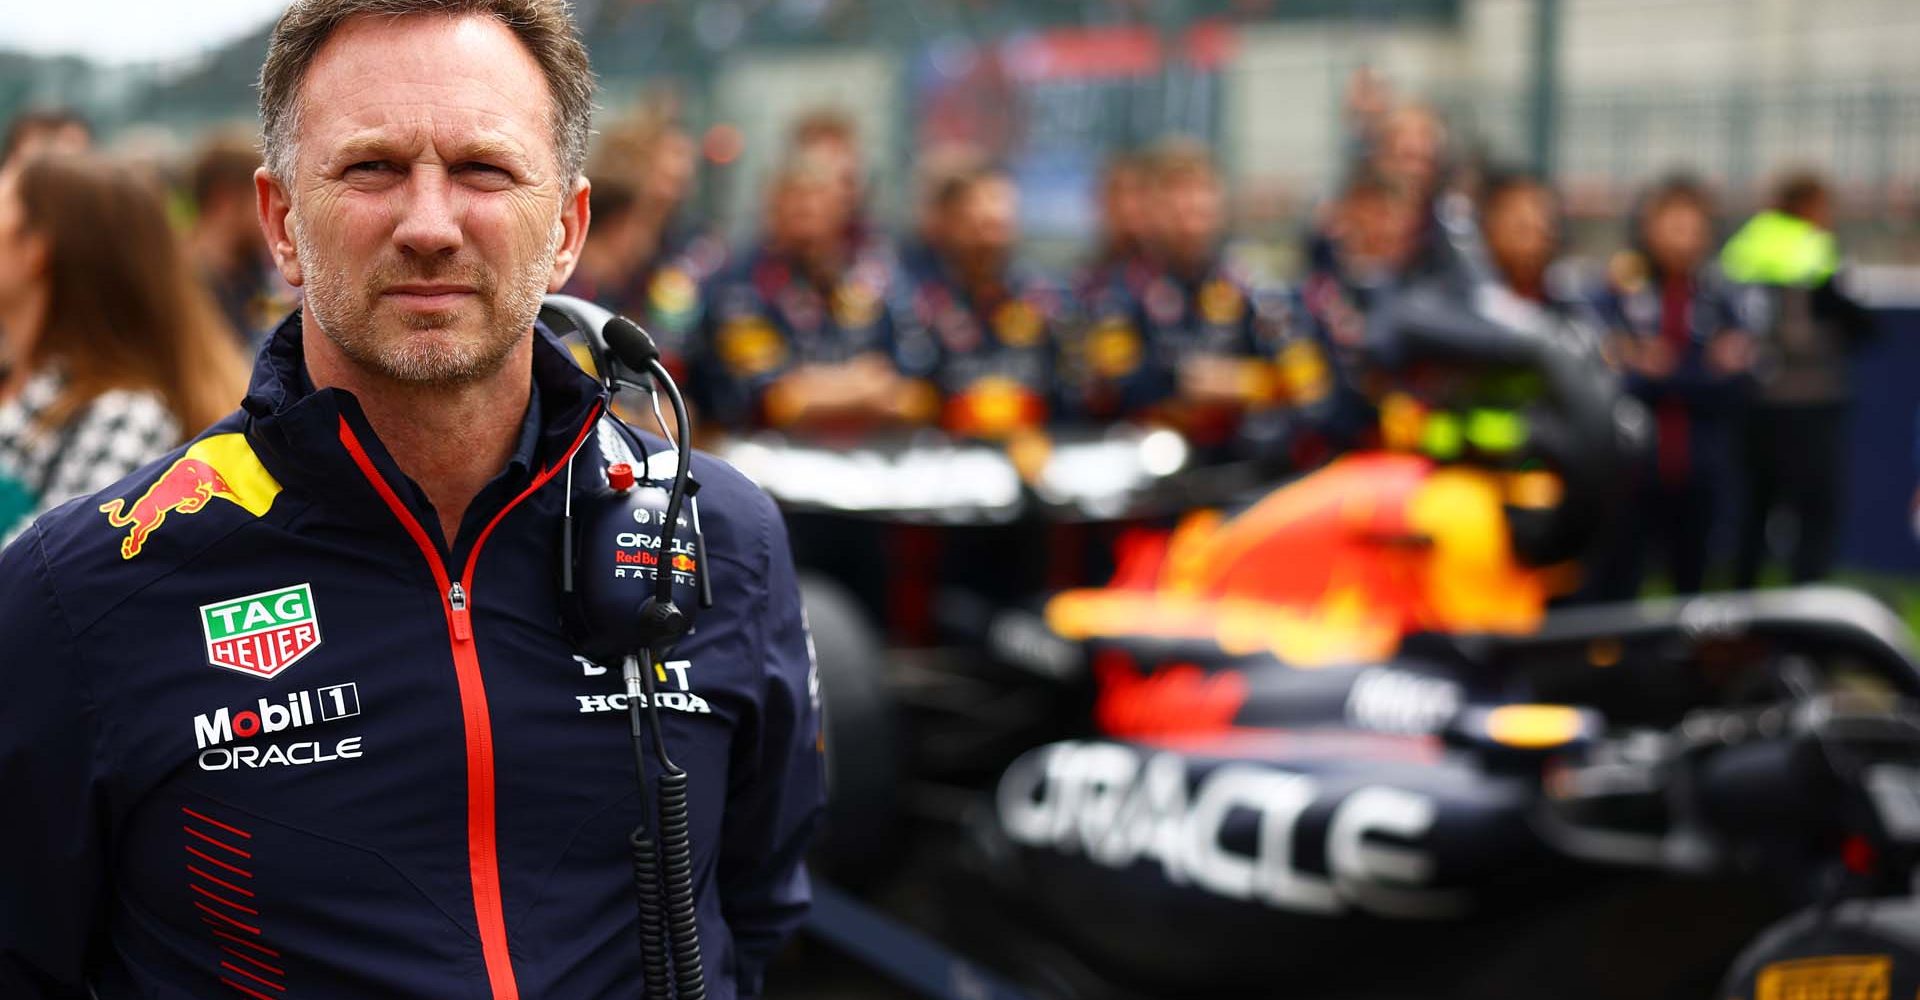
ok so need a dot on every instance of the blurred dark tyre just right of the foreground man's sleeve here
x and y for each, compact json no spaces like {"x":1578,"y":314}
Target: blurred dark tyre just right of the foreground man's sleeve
{"x":861,"y":840}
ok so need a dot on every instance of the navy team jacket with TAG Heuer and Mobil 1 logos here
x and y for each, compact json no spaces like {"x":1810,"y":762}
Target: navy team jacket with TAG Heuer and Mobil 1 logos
{"x":266,"y":734}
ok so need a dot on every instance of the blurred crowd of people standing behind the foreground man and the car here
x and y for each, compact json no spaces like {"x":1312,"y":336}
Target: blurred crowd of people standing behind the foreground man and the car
{"x":130,"y":298}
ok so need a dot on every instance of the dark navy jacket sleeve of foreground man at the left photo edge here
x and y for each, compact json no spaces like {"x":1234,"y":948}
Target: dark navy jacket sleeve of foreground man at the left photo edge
{"x":51,"y":778}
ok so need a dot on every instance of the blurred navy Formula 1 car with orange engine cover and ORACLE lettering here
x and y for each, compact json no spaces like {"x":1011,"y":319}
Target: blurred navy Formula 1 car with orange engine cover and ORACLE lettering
{"x":1337,"y":744}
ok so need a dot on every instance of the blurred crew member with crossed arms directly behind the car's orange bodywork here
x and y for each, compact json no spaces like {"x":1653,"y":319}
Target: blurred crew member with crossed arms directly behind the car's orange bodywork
{"x":1199,"y":348}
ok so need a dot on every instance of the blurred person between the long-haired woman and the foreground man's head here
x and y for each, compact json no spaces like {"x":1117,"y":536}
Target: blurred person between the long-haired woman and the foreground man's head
{"x":228,"y":245}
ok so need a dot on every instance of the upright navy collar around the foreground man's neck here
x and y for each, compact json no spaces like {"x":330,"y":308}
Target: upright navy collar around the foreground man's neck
{"x":297,"y":429}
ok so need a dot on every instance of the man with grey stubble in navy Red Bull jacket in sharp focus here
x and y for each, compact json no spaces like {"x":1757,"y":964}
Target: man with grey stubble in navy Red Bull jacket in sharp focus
{"x":293,"y":713}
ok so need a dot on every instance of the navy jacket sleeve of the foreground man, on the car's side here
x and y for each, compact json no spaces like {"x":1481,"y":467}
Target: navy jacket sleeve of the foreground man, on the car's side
{"x":779,"y":790}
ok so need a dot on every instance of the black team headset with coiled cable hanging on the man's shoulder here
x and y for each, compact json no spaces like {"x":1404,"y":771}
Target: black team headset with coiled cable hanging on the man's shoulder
{"x":631,"y":588}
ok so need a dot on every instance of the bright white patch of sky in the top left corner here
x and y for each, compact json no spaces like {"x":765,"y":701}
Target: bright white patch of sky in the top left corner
{"x":120,"y":32}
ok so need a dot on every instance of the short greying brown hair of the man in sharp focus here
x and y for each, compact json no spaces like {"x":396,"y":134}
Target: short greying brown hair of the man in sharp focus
{"x":546,"y":28}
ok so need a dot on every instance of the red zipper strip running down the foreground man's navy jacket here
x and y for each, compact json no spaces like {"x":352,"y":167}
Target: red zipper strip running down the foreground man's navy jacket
{"x":456,"y":596}
